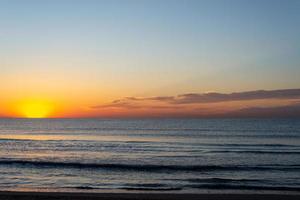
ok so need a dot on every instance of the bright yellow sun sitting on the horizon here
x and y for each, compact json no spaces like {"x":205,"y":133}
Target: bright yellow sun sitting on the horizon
{"x":35,"y":109}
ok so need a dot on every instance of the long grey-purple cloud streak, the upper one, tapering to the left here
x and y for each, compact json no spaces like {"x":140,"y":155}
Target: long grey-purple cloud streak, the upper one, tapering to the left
{"x":202,"y":98}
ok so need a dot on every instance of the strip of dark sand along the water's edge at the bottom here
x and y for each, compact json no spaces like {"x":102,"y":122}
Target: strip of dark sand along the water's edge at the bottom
{"x":140,"y":196}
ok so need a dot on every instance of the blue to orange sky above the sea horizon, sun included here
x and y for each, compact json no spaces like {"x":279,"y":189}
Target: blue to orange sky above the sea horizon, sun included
{"x":64,"y":58}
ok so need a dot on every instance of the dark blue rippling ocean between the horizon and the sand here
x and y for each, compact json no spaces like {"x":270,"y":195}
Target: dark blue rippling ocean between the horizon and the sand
{"x":172,"y":155}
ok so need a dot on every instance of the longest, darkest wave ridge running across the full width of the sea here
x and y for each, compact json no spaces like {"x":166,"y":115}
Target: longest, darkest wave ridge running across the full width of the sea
{"x":133,"y":167}
